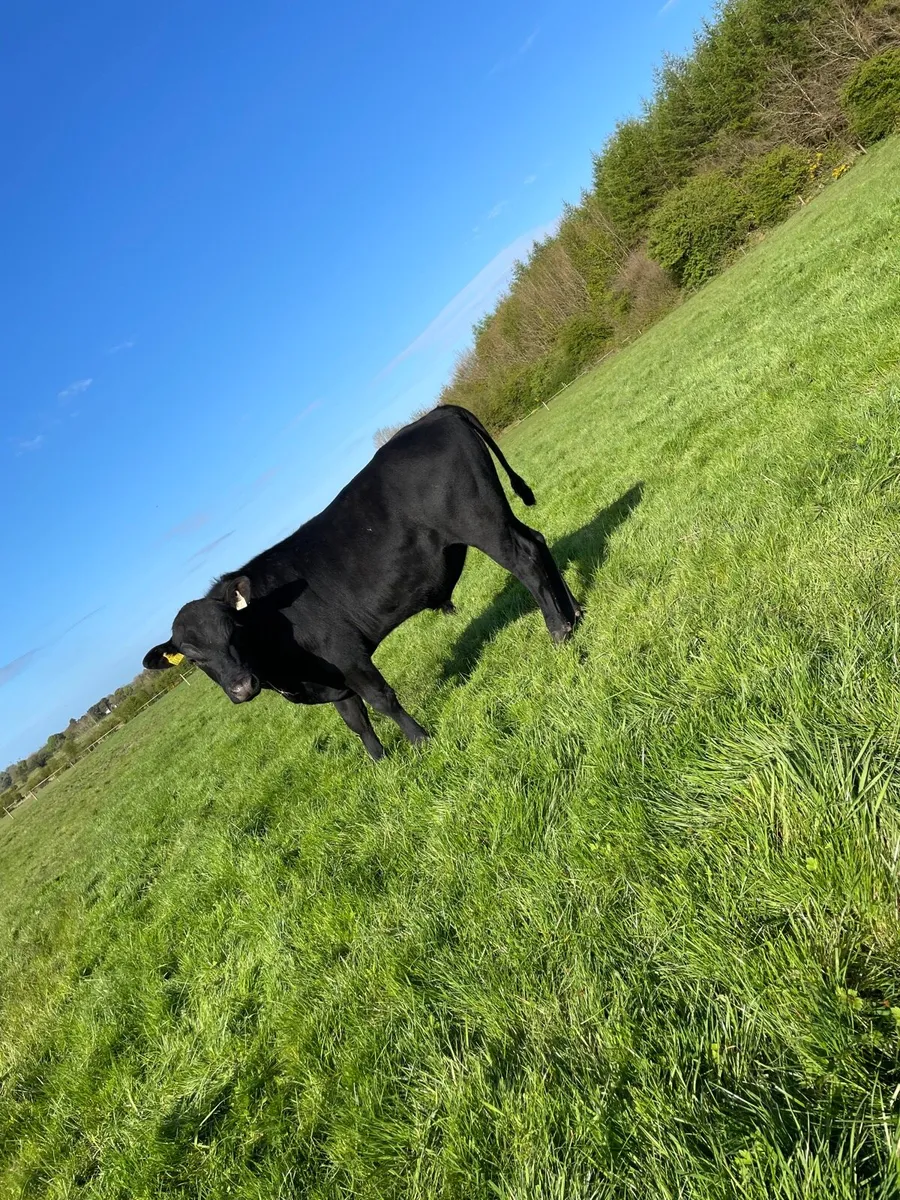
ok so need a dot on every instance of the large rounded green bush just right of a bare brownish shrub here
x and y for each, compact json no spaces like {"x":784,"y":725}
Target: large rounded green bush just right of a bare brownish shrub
{"x":697,"y":226}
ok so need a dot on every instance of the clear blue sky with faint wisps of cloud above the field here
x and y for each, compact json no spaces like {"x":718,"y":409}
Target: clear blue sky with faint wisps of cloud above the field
{"x":236,"y":242}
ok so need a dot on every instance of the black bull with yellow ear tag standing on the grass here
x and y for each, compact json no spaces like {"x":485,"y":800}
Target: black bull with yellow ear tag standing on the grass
{"x":305,"y":617}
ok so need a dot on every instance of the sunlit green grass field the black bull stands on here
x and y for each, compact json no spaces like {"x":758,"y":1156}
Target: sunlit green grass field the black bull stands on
{"x":629,"y":926}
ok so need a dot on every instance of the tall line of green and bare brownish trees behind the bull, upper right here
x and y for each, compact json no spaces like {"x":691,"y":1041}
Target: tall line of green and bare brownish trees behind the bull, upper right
{"x":775,"y":101}
